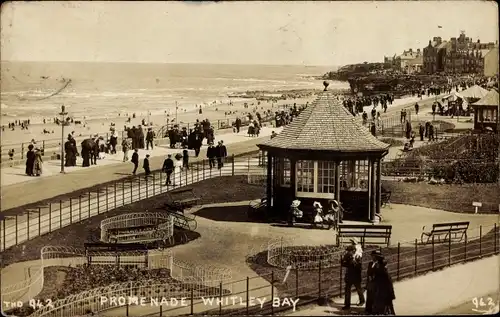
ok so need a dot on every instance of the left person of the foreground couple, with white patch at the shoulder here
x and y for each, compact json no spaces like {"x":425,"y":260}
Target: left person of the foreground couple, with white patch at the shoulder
{"x":352,"y":261}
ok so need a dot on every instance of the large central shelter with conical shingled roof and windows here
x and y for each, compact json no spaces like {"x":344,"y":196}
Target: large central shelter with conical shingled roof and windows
{"x":325,"y":153}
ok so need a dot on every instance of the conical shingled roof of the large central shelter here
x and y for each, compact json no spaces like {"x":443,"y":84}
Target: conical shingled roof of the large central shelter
{"x":326,"y":125}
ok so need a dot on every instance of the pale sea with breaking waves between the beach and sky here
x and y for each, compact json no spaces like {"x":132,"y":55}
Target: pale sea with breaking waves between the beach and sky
{"x":36,"y":90}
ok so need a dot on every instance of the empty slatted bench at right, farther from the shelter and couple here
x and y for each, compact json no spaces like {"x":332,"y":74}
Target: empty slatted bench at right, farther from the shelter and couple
{"x":442,"y":232}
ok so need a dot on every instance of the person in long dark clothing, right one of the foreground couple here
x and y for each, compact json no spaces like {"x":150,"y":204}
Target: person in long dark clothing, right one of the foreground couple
{"x":380,"y":289}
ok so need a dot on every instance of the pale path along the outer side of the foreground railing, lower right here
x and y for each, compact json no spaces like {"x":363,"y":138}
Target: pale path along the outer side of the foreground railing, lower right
{"x":432,"y":293}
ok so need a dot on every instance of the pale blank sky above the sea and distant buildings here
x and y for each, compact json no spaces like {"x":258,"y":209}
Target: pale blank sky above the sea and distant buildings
{"x":271,"y":33}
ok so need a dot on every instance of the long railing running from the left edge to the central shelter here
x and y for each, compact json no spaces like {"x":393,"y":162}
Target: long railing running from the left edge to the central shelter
{"x":18,"y":226}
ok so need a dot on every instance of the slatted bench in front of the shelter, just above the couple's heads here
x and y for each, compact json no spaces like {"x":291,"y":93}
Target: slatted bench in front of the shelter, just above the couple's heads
{"x":373,"y":234}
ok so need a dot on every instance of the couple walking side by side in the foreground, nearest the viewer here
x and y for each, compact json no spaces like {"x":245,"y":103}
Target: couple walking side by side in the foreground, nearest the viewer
{"x":379,"y":287}
